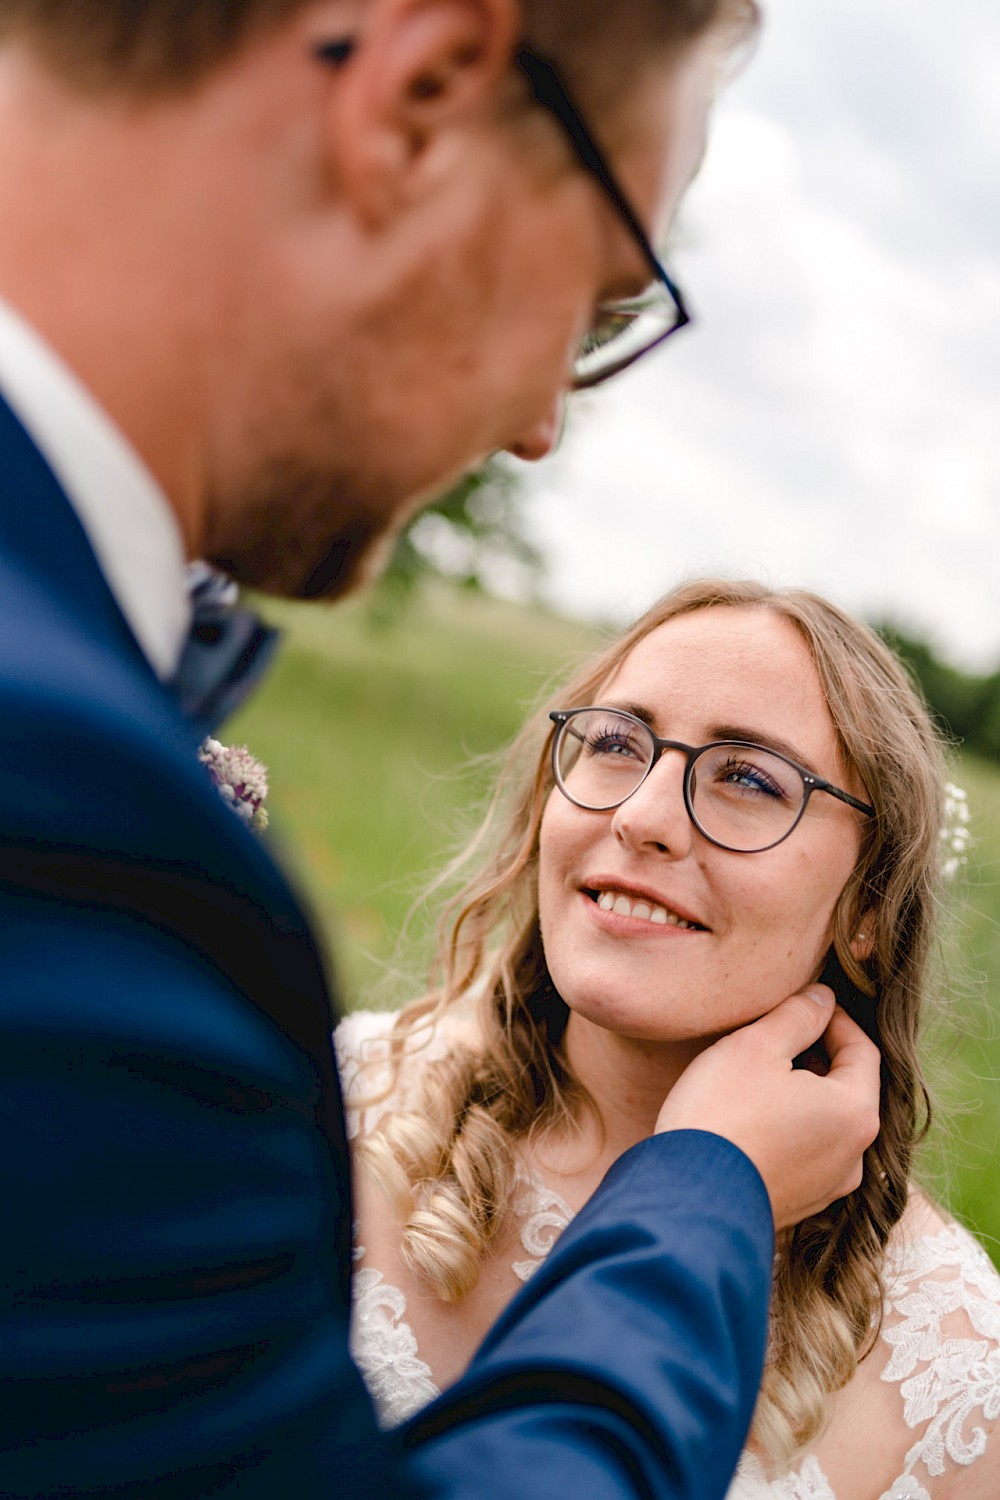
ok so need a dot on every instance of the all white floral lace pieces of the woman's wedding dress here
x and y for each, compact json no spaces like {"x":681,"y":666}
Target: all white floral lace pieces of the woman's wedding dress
{"x":941,"y":1337}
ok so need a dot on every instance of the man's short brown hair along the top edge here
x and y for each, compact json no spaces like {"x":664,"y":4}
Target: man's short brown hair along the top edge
{"x":148,"y":47}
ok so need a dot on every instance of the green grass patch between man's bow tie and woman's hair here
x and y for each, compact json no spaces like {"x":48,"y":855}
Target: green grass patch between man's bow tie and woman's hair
{"x":373,"y":739}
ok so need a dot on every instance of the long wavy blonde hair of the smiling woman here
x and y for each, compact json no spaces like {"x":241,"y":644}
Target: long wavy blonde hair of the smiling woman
{"x":449,"y":1163}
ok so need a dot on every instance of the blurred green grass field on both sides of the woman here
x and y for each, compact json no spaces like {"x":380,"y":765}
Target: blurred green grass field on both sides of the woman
{"x":371,"y":736}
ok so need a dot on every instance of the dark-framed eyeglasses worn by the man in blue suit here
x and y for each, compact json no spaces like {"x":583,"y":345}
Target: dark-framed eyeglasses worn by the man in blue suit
{"x":623,"y":331}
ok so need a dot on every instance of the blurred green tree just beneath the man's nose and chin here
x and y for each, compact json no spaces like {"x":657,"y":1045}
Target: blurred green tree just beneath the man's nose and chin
{"x":475,"y":536}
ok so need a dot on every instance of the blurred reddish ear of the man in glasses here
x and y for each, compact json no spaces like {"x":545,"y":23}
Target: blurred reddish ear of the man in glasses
{"x":419,"y":73}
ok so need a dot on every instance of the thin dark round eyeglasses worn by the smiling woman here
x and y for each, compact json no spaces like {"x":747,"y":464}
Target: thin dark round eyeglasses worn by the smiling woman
{"x":740,"y":796}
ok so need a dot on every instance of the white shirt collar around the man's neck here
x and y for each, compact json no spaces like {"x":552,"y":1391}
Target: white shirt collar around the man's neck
{"x":124,"y":511}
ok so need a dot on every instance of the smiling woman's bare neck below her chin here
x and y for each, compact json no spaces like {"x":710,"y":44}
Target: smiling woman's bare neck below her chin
{"x":627,"y":1082}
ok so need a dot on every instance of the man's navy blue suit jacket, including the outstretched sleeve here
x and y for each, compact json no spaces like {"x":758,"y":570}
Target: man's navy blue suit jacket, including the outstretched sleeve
{"x":173,"y":1163}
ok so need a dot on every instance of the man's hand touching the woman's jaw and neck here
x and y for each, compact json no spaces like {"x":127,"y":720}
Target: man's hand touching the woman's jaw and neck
{"x":804,"y":1133}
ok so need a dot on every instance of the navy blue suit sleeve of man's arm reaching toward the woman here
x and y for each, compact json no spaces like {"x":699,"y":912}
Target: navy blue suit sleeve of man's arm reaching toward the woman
{"x":632,"y":1361}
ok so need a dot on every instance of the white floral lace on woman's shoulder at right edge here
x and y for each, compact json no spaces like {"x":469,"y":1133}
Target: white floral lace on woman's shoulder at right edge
{"x":941,"y":1348}
